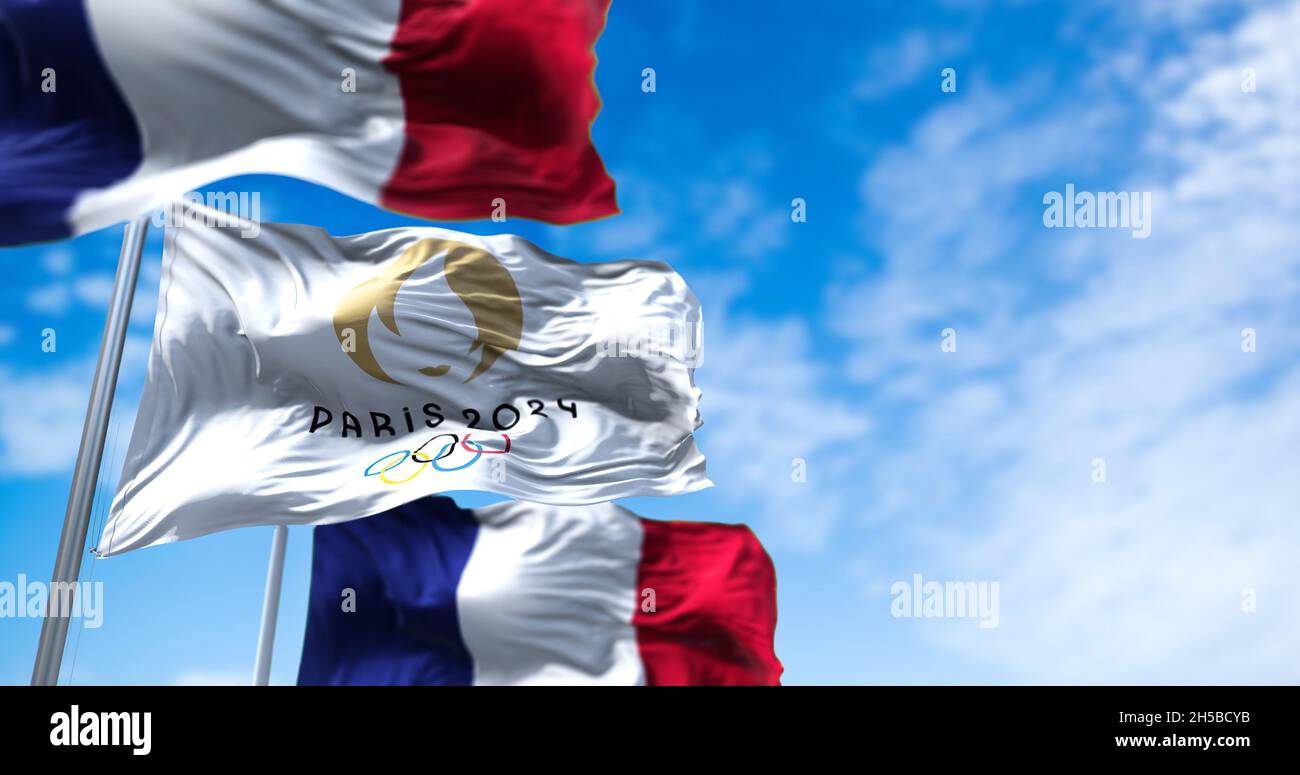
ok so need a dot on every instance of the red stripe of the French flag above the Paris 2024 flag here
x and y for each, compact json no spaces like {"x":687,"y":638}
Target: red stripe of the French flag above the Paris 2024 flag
{"x":502,"y":92}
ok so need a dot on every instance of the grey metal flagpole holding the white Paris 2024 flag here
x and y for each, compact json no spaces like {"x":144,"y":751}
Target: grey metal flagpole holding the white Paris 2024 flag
{"x":72,"y":543}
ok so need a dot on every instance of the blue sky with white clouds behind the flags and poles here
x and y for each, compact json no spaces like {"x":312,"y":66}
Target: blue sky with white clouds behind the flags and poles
{"x":824,"y":343}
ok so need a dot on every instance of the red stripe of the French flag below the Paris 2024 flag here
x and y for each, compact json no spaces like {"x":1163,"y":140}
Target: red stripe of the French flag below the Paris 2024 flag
{"x":714,"y":616}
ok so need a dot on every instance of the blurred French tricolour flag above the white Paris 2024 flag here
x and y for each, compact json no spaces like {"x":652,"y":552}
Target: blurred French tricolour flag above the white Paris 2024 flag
{"x":445,"y":110}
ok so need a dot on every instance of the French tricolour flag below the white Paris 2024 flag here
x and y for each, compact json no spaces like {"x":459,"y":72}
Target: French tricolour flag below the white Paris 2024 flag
{"x":522,"y":594}
